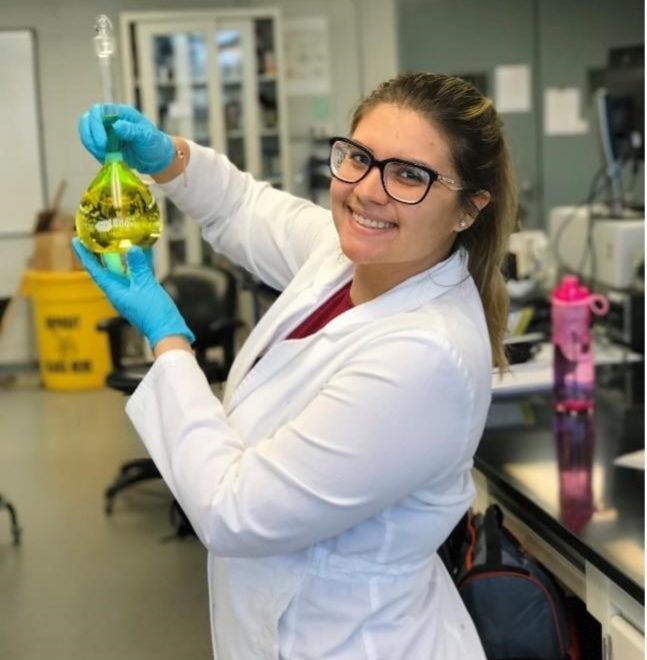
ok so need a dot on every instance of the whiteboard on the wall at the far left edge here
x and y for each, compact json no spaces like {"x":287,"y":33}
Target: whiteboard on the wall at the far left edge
{"x":21,"y":169}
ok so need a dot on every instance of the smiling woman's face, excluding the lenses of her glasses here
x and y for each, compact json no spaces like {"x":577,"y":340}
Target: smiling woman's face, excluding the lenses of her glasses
{"x":410,"y":238}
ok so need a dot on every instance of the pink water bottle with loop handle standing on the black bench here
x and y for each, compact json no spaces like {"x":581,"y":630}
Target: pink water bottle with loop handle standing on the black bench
{"x":573,"y":364}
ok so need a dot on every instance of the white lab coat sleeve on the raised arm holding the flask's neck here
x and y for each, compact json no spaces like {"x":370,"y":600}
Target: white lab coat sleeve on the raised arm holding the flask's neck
{"x":269,"y":232}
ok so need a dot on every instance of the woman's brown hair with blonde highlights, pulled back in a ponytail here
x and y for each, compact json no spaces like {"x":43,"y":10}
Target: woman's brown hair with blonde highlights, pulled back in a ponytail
{"x":482,"y":161}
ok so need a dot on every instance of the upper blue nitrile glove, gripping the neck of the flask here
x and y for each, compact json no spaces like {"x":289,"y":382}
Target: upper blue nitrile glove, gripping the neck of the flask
{"x":143,"y":146}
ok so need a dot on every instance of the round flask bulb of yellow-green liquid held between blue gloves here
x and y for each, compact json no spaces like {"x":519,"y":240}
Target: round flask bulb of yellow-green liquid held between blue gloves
{"x":117,"y":210}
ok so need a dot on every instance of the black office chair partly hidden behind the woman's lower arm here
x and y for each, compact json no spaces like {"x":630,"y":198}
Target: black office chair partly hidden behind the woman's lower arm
{"x":207,"y":298}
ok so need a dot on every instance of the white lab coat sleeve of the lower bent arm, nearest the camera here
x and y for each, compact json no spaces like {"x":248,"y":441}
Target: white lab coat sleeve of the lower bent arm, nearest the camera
{"x":397,"y":416}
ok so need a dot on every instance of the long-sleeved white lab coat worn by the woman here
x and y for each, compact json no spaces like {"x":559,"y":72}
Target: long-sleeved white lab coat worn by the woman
{"x":324,"y":483}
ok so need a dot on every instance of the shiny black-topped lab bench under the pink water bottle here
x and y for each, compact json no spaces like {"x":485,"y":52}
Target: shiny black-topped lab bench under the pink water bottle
{"x":572,"y":490}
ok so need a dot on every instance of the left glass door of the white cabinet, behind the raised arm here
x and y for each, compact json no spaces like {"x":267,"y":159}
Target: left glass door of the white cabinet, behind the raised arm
{"x":173,"y":62}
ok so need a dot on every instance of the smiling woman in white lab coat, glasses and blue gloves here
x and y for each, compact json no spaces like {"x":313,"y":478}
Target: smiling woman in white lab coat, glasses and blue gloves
{"x":340,"y":457}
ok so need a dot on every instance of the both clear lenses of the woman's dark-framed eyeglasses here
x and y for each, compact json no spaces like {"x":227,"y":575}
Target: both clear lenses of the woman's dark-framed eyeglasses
{"x":402,"y":181}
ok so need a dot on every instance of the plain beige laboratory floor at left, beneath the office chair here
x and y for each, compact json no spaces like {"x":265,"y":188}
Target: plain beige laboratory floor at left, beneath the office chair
{"x":82,"y":585}
